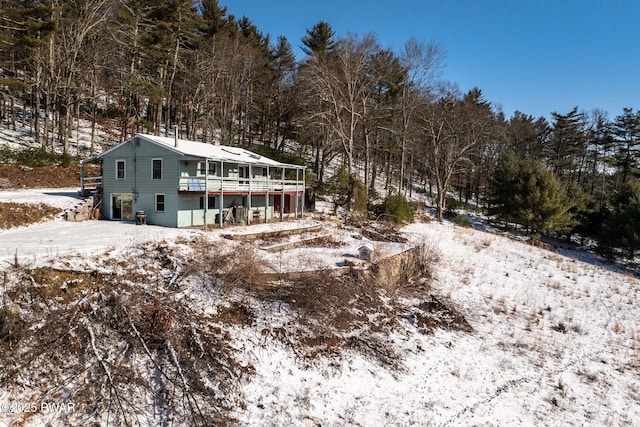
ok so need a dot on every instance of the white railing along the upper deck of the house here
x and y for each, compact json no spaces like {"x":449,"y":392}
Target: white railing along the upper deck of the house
{"x":215,"y":184}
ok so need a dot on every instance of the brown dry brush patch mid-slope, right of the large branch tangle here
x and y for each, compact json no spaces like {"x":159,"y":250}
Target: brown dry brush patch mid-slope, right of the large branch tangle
{"x":334,"y":310}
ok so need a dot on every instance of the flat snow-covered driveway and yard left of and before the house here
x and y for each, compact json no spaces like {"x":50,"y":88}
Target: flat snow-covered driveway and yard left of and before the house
{"x":42,"y":243}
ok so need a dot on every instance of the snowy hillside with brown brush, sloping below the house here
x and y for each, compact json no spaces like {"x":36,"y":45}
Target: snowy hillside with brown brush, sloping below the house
{"x":184,"y":327}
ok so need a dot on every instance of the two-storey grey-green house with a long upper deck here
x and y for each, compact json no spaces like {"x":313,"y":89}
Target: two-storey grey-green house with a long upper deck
{"x":179,"y":183}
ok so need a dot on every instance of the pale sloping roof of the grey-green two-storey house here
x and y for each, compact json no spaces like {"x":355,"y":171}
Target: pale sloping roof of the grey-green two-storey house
{"x":207,"y":151}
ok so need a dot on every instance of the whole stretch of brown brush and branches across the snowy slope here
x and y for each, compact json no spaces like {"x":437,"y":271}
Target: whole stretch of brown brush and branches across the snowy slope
{"x":119,"y":342}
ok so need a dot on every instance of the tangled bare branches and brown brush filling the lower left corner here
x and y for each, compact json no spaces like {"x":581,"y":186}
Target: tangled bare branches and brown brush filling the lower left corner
{"x":115,"y":348}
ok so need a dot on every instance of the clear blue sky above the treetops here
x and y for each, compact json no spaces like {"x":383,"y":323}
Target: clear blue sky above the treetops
{"x":534,"y":56}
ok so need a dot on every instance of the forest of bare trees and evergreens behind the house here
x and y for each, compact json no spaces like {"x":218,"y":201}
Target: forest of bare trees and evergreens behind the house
{"x":389,"y":118}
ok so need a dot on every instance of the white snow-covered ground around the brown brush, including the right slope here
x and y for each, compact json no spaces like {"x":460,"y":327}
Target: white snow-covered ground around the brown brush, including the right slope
{"x":555,"y":341}
